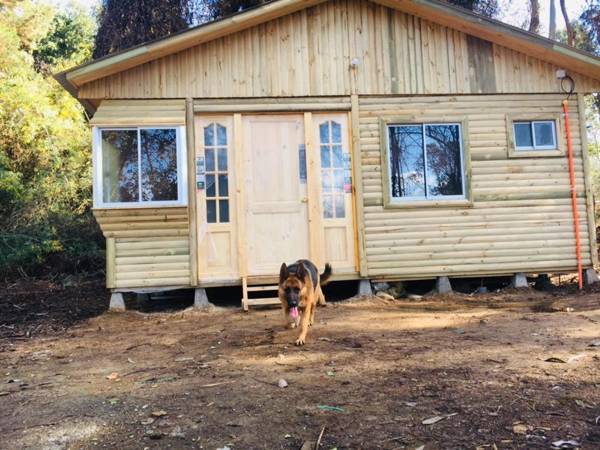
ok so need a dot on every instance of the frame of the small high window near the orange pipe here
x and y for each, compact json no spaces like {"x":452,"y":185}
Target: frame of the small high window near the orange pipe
{"x":557,"y":150}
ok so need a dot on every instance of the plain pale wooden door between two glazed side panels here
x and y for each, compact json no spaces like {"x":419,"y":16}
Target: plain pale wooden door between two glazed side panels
{"x":275,"y":192}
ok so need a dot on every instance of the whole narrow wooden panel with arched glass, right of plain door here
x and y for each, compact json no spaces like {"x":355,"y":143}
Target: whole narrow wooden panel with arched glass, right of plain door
{"x":332,"y":141}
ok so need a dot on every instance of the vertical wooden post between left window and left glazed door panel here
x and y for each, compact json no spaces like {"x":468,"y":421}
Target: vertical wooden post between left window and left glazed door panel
{"x":191,"y":171}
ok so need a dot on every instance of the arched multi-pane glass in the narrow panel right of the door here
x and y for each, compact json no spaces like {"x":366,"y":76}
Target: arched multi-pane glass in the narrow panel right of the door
{"x":332,"y":170}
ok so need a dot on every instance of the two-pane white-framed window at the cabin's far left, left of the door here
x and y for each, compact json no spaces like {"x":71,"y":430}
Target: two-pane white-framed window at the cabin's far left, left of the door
{"x":139,"y":167}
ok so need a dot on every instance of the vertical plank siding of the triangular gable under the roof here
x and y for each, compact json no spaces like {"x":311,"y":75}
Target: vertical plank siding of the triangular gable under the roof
{"x":309,"y":53}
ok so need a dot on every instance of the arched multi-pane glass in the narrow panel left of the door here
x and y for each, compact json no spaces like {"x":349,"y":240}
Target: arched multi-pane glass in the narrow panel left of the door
{"x":217,"y":177}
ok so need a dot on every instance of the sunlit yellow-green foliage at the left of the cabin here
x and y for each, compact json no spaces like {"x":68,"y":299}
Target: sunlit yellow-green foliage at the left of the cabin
{"x":45,"y":173}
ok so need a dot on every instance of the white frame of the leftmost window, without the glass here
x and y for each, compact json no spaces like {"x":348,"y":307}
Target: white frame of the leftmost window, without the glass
{"x":180,"y":142}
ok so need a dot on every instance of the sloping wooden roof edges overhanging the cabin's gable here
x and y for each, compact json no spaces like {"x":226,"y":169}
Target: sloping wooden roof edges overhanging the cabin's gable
{"x":432,"y":10}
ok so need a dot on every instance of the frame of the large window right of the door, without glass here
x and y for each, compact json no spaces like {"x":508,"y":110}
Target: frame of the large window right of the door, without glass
{"x":434,"y":200}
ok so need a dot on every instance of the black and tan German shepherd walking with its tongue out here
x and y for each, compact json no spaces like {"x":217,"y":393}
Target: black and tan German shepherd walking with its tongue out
{"x":300,"y":289}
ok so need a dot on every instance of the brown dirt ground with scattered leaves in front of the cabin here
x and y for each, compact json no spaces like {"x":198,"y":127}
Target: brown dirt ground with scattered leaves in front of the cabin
{"x":515,"y":369}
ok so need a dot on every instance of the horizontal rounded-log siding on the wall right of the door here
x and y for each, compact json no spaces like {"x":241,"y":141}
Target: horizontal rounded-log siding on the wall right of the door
{"x":521,"y":217}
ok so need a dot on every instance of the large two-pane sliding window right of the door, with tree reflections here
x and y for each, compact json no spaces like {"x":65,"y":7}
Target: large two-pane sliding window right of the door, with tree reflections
{"x":425,"y":162}
